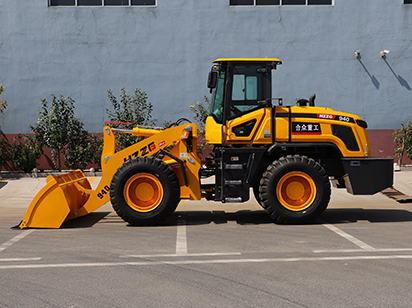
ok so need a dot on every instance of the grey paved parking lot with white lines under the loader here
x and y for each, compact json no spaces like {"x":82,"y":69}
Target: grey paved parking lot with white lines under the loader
{"x":208,"y":254}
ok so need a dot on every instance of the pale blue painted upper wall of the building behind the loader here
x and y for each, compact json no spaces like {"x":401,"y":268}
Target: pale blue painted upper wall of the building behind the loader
{"x":167,"y":51}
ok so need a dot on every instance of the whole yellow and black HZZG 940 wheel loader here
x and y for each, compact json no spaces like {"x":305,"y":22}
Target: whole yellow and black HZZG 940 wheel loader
{"x":287,"y":155}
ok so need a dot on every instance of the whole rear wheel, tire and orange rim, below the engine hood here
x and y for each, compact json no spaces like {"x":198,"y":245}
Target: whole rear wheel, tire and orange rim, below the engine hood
{"x":294,"y":189}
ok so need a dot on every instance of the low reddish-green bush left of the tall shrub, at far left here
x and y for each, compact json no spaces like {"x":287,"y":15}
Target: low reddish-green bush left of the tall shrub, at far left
{"x":24,"y":152}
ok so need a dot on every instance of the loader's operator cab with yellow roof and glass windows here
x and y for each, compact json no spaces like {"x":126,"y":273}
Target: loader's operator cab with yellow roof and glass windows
{"x":239,"y":88}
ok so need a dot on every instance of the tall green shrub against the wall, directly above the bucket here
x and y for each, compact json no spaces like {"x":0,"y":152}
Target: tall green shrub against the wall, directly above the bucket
{"x":58,"y":127}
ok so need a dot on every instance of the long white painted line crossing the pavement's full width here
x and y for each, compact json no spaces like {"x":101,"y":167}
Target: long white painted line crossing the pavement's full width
{"x":204,"y":262}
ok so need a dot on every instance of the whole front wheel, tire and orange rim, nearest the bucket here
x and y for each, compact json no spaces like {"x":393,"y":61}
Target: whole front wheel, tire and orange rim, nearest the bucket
{"x":144,"y":191}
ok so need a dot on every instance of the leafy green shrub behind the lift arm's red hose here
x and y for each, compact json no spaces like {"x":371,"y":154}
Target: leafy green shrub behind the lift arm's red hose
{"x":133,"y":109}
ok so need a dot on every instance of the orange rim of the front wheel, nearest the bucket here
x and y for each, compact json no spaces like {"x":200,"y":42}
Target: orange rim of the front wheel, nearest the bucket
{"x":143,"y":192}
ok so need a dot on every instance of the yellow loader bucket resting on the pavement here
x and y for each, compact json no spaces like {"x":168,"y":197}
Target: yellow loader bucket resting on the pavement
{"x":58,"y":201}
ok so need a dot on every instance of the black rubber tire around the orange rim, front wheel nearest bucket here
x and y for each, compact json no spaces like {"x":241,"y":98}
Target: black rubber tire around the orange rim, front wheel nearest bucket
{"x":163,"y":174}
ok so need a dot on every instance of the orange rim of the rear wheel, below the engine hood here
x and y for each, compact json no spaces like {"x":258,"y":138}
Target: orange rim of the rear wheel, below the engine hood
{"x":296,"y":191}
